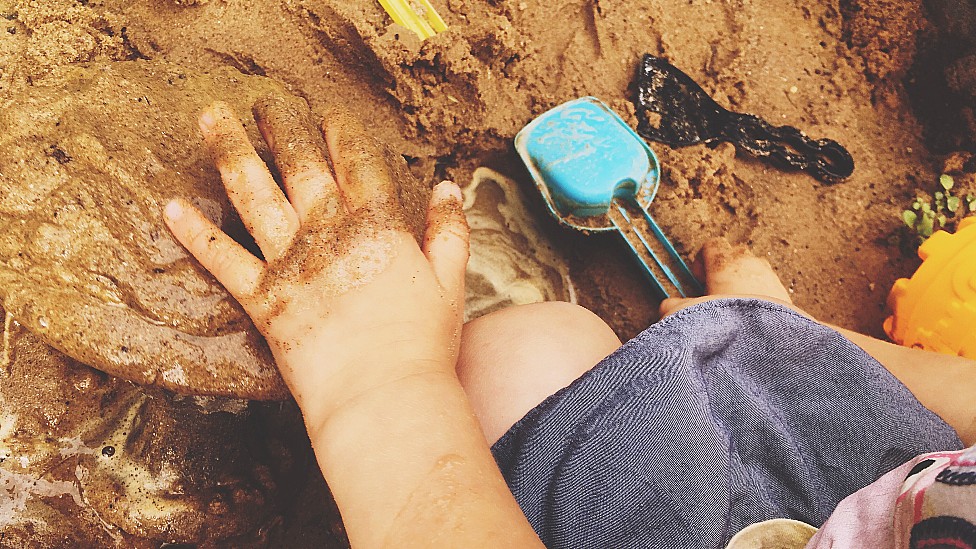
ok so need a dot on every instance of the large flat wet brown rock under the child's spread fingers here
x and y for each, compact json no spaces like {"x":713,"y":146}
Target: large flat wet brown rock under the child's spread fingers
{"x":88,"y":159}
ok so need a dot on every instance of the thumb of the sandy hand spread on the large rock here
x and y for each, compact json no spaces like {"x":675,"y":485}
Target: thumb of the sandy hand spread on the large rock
{"x":446,"y":238}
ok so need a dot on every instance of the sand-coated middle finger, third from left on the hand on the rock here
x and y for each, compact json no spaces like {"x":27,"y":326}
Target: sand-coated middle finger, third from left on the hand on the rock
{"x":299,"y":150}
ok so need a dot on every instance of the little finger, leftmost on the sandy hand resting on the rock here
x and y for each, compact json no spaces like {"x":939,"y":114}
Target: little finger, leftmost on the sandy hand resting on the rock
{"x":228,"y":261}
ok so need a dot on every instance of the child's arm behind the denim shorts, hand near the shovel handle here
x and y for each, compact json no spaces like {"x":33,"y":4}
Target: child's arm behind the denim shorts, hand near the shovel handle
{"x":942,"y":383}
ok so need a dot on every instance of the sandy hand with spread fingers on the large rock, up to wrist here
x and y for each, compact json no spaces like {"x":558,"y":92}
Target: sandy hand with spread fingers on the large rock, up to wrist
{"x":345,"y":297}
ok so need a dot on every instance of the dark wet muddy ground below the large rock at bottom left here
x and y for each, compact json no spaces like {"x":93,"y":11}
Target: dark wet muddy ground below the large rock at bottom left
{"x":87,"y":459}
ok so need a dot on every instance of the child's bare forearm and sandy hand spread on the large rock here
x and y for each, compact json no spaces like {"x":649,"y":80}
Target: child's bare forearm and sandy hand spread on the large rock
{"x":364,"y":326}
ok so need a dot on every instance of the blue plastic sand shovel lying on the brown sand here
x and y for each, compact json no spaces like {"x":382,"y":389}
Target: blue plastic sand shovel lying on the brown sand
{"x":597,"y":174}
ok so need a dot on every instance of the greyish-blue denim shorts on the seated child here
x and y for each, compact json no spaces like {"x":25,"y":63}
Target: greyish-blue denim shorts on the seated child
{"x":724,"y":414}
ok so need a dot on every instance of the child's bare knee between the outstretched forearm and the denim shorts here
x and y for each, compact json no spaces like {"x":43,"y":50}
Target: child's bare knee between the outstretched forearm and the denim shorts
{"x":512,"y":359}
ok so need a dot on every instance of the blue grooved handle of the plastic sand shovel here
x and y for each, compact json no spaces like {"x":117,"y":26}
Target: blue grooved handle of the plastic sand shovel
{"x":667,"y":271}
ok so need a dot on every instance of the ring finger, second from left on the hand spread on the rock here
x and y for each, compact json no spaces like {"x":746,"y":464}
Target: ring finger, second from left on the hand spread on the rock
{"x":262,"y":206}
